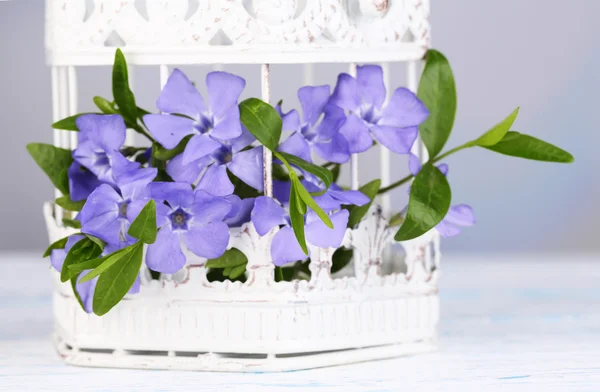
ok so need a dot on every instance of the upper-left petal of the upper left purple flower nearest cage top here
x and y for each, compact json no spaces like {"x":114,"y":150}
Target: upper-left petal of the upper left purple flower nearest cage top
{"x":180,"y":96}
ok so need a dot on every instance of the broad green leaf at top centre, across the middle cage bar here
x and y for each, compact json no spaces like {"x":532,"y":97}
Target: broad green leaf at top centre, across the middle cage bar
{"x":263,"y":121}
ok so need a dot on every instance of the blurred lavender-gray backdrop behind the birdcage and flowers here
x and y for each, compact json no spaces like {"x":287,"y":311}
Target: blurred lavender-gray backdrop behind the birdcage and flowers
{"x":542,"y":55}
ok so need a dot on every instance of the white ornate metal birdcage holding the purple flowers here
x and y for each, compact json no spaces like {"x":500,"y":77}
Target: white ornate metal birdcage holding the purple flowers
{"x":187,"y":322}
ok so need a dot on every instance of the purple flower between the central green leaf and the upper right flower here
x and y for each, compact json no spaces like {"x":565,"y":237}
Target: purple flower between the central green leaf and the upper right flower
{"x":323,"y":136}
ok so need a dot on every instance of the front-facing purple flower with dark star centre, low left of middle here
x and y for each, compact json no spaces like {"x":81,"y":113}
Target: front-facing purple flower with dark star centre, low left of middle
{"x":194,"y":217}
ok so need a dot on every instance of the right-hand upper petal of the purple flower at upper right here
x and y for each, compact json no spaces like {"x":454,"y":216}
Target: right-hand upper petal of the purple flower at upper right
{"x":404,"y":110}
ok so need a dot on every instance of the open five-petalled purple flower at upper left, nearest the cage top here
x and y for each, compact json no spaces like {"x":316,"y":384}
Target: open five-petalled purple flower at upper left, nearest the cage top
{"x":219,"y":121}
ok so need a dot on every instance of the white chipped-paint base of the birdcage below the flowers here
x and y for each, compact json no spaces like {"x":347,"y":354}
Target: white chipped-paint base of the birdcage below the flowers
{"x":281,"y":325}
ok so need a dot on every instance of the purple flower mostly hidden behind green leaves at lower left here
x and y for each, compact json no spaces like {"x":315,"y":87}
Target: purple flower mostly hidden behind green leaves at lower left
{"x":85,"y":290}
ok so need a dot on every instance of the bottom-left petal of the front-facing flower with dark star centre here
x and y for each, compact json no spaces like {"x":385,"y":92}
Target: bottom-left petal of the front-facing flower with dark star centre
{"x":165,"y":254}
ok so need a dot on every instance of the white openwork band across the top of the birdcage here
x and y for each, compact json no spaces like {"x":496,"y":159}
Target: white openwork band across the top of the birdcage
{"x":236,"y":31}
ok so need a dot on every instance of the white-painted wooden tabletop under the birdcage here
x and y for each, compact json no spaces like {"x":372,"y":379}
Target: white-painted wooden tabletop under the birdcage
{"x":508,"y":322}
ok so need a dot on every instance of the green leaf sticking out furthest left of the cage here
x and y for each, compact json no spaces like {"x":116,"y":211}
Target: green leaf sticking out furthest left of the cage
{"x":54,"y":161}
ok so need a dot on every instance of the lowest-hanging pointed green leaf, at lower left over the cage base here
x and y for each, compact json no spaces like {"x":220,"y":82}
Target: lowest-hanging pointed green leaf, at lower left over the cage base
{"x":115,"y":282}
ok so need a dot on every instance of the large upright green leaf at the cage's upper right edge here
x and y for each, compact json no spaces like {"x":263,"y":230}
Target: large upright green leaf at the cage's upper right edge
{"x":437,"y":90}
